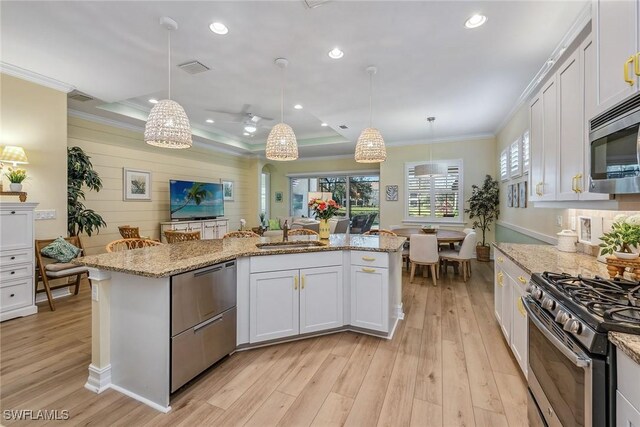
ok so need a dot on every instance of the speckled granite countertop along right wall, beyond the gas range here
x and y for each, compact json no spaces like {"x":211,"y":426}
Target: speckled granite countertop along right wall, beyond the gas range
{"x":541,"y":258}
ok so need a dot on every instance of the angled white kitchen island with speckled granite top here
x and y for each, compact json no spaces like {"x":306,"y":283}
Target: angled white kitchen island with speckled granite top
{"x":281,"y":292}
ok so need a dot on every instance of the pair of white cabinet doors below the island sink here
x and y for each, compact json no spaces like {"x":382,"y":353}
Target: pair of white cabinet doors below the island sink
{"x":292,"y":302}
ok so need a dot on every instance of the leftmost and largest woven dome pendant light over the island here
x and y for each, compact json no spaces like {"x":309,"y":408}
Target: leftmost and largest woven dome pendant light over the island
{"x":168,"y":125}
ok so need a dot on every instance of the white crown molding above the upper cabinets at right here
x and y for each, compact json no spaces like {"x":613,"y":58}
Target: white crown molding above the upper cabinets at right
{"x":576,"y":28}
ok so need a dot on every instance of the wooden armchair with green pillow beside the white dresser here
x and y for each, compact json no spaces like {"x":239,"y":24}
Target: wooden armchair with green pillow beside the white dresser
{"x":47,"y":270}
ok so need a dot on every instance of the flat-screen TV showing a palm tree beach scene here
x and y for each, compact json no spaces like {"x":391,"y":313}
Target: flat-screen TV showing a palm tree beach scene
{"x":195,"y":200}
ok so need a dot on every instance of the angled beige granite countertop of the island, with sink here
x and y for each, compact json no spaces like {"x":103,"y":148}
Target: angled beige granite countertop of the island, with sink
{"x":167,"y":260}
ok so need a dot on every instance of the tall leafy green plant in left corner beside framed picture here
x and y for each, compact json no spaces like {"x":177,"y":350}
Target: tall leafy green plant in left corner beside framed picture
{"x":80,"y":172}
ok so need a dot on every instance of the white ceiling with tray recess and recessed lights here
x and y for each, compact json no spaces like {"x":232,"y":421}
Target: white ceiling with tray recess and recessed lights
{"x":428,"y":63}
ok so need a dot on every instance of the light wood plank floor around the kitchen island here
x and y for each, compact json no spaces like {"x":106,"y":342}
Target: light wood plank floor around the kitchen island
{"x":447,"y":365}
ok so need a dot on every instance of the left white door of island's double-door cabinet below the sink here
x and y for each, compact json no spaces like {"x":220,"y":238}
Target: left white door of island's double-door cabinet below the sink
{"x":274,"y":305}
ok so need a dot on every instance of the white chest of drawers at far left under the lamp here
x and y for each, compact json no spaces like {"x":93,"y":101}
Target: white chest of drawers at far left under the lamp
{"x":17,"y":260}
